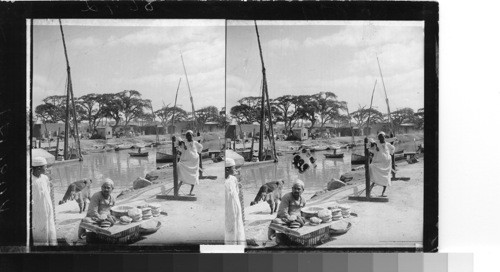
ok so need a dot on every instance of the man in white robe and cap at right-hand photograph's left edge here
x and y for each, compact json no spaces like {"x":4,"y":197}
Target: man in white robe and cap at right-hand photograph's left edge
{"x":234,"y":229}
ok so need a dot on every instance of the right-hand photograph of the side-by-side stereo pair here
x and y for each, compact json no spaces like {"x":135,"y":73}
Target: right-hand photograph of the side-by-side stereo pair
{"x":324,"y":142}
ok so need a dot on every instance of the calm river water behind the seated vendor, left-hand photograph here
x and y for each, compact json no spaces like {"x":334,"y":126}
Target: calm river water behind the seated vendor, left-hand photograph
{"x":117,"y":165}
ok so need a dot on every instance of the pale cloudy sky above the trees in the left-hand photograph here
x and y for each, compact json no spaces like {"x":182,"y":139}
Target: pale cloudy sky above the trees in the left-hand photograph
{"x":110,"y":56}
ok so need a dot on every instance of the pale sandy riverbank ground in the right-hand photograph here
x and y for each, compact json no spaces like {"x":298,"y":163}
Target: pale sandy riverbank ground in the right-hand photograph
{"x":397,"y":223}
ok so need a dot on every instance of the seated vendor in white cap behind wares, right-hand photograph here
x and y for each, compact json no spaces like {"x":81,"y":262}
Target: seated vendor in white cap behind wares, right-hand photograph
{"x":293,"y":202}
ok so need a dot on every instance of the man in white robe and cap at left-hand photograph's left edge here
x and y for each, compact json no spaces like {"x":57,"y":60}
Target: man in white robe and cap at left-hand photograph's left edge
{"x":43,"y":223}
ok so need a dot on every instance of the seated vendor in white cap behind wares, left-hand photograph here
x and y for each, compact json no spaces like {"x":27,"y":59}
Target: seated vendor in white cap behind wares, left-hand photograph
{"x":101,"y":202}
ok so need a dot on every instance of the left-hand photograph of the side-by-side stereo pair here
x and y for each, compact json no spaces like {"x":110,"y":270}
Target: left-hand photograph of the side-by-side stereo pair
{"x":127,"y":122}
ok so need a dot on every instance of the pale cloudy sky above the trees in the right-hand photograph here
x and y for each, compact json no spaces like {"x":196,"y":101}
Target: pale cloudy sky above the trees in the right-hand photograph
{"x":307,"y":57}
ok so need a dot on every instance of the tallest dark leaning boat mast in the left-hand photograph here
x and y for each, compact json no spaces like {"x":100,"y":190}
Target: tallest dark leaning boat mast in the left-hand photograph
{"x":69,"y":93}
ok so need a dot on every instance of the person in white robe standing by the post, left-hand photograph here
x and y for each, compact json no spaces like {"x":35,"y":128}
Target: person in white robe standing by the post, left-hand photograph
{"x":189,"y":164}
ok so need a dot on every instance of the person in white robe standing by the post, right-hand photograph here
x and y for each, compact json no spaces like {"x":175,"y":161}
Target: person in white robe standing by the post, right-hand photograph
{"x":381,"y":166}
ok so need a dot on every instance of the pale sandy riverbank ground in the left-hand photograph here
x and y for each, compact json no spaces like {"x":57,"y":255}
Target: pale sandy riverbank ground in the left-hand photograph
{"x":187,"y":222}
